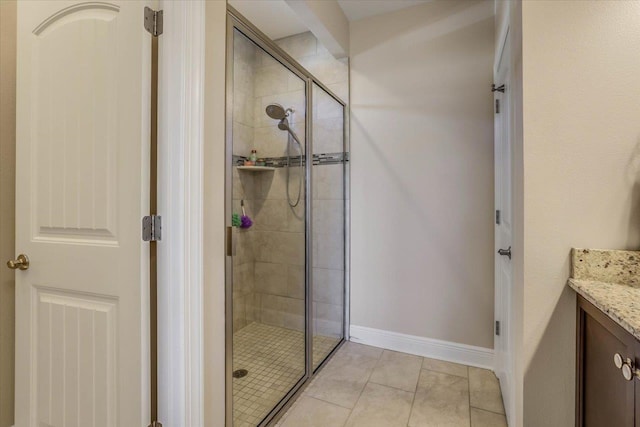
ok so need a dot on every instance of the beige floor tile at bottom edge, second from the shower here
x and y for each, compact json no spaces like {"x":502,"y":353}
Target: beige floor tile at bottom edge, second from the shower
{"x":381,"y":406}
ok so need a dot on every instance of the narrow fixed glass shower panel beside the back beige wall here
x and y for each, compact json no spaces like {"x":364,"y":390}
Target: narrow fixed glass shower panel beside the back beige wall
{"x":328,"y":213}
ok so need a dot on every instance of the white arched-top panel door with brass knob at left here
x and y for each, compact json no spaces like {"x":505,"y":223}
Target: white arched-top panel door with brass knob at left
{"x":82,"y":178}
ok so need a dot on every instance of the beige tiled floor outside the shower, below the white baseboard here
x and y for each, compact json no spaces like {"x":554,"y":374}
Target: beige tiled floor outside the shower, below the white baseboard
{"x":365,"y":386}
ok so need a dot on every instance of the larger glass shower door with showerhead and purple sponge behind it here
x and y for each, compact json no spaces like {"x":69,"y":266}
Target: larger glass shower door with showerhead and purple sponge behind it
{"x":267,"y":213}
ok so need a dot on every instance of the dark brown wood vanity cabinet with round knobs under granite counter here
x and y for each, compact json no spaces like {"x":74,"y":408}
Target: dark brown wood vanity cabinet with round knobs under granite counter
{"x":605,"y":398}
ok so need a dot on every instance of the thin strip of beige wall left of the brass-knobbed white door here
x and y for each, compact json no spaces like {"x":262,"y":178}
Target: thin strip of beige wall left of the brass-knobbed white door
{"x":7,"y":205}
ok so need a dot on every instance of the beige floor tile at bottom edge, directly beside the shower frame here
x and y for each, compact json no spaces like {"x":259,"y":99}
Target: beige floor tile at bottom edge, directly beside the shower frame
{"x":310,"y":412}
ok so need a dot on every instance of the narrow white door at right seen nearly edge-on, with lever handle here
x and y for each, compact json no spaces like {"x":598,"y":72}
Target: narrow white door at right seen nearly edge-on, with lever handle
{"x":503,"y":230}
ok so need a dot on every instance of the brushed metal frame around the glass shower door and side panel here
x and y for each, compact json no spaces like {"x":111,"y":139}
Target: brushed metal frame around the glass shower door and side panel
{"x":235,"y":21}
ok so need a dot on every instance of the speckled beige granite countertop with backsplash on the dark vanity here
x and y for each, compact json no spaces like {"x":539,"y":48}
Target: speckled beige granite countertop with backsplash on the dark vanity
{"x":610,"y":280}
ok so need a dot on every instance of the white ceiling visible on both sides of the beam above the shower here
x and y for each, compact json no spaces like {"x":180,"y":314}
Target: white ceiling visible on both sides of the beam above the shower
{"x":276,"y":19}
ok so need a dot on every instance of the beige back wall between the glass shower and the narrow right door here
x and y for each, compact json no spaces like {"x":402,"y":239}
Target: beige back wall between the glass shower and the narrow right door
{"x":422,"y":172}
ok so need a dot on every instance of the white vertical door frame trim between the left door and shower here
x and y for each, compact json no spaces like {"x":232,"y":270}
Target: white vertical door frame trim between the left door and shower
{"x":181,"y":146}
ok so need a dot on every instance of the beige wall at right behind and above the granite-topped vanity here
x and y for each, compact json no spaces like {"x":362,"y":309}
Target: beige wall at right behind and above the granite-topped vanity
{"x":581,"y":73}
